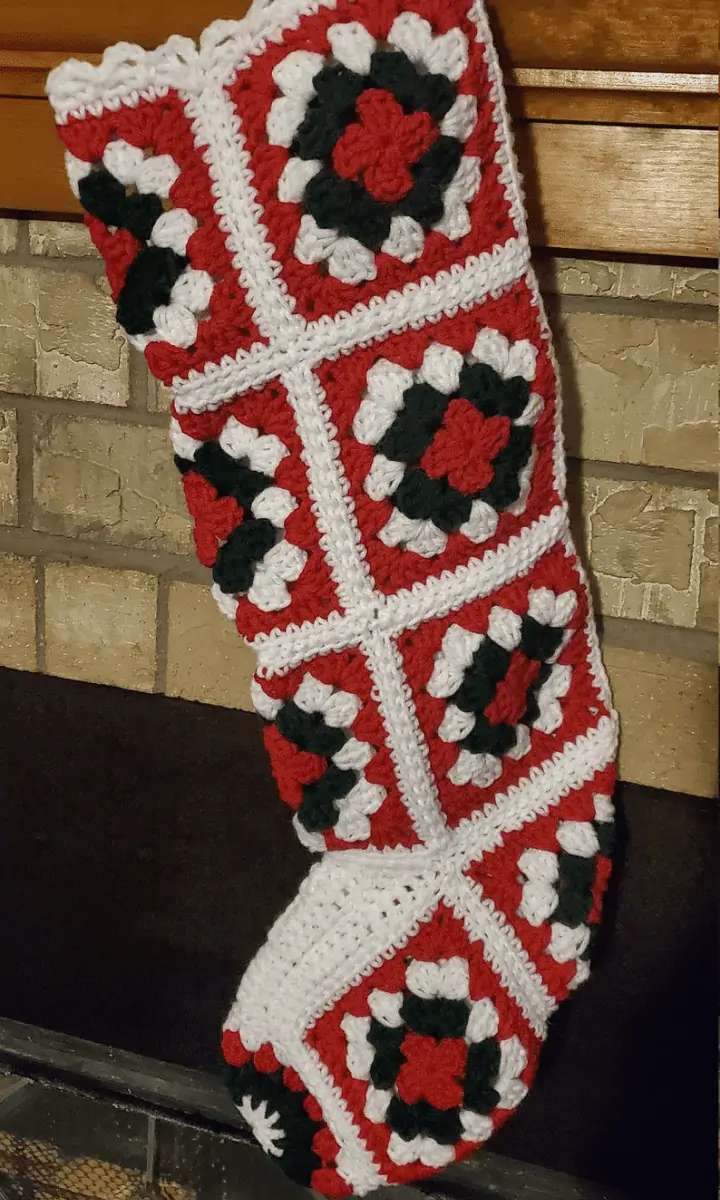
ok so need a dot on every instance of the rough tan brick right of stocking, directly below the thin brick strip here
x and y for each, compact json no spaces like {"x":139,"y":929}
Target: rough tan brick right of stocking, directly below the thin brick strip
{"x":639,"y":389}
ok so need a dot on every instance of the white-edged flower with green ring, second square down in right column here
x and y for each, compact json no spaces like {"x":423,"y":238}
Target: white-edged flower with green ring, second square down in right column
{"x":454,"y":443}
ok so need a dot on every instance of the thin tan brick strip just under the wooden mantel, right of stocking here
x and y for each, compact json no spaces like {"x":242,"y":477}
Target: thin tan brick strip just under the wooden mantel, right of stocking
{"x":632,"y":281}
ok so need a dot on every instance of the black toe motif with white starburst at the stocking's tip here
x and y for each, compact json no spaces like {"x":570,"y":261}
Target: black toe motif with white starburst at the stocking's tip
{"x":278,"y":1119}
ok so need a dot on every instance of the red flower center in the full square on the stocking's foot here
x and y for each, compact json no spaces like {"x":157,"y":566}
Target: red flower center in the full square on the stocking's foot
{"x":433,"y":1071}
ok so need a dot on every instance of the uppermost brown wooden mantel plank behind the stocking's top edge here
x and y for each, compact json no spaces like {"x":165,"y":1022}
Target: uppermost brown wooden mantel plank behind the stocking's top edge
{"x":651,"y":35}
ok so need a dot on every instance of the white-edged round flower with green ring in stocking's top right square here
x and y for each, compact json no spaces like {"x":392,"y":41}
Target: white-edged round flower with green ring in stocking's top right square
{"x":377,"y":141}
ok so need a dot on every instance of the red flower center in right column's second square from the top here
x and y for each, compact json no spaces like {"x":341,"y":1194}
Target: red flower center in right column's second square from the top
{"x":465,"y":447}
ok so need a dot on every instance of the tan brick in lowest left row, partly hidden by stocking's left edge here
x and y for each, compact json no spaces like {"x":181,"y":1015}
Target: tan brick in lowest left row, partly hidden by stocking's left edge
{"x":208,"y":661}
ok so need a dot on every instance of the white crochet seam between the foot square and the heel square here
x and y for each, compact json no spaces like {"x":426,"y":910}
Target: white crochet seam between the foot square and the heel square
{"x":503,"y":950}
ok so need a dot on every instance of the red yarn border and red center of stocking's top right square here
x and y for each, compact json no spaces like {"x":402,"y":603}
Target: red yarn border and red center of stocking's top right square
{"x":253,"y":93}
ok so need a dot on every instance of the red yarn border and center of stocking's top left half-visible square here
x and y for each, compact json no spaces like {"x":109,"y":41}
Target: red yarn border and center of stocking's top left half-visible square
{"x":163,"y":128}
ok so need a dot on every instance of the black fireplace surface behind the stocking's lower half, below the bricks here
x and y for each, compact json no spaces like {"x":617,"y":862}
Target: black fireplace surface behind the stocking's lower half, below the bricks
{"x":145,"y":855}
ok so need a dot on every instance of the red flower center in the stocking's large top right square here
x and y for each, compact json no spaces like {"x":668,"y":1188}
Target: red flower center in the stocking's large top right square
{"x":380,"y":149}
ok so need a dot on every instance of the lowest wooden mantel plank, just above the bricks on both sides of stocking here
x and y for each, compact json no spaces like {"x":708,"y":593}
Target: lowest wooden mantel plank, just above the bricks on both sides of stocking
{"x":632,"y":190}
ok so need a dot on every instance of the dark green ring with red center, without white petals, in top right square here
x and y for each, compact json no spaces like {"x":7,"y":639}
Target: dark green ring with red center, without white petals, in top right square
{"x":379,"y":140}
